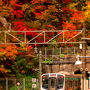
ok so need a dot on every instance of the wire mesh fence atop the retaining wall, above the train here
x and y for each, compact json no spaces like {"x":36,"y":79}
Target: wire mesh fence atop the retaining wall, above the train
{"x":57,"y":53}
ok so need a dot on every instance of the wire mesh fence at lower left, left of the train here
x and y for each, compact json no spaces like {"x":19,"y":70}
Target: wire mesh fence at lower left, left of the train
{"x":19,"y":84}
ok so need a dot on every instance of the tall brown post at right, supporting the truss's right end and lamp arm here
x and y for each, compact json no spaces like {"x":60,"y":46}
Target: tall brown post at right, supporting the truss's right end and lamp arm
{"x":84,"y":60}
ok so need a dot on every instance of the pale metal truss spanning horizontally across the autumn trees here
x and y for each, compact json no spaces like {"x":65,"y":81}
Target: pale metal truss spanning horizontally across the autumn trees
{"x":38,"y":37}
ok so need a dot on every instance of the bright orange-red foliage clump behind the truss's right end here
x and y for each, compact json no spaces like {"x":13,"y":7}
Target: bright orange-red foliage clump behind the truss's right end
{"x":68,"y":35}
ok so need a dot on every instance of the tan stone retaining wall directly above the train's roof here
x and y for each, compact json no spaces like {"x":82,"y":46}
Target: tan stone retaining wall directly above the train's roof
{"x":64,"y":67}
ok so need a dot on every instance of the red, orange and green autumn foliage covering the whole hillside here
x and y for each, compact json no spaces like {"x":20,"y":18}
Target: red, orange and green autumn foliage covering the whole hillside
{"x":30,"y":15}
